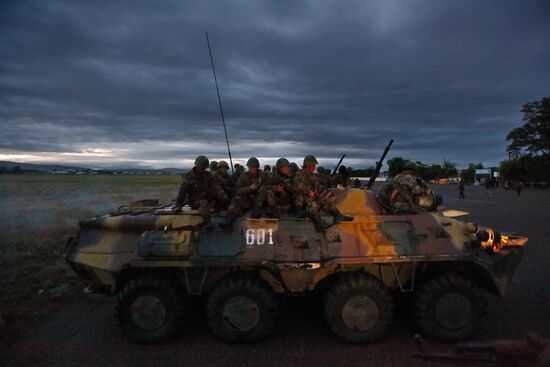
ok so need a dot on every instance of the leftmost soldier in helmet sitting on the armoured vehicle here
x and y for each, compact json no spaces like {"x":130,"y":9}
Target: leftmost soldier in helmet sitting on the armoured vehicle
{"x":196,"y":187}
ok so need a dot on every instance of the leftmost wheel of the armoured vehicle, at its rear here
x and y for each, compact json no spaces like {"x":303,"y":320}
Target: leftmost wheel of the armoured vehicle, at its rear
{"x":151,"y":309}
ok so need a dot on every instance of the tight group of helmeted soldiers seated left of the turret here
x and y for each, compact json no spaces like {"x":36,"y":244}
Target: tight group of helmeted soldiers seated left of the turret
{"x":263,"y":193}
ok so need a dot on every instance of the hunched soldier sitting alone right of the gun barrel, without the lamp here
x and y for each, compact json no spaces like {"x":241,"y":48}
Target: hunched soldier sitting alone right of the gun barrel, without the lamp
{"x":401,"y":194}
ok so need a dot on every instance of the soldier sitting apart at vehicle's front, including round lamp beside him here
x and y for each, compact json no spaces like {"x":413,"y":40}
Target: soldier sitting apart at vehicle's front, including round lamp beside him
{"x":406,"y":194}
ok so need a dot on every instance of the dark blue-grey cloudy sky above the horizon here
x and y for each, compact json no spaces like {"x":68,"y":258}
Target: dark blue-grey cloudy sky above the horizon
{"x":129,"y":83}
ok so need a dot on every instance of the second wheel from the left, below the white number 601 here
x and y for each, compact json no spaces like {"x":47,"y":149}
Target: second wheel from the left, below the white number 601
{"x":241,"y":308}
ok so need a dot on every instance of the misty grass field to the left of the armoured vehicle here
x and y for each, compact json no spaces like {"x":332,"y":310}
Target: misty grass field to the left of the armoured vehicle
{"x":38,"y":213}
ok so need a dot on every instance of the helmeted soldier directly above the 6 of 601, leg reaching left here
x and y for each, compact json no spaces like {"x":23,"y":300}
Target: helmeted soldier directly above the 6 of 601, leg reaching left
{"x":246,"y":190}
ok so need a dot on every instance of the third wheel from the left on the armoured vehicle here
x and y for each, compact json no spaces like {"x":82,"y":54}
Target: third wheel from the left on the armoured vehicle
{"x":358,"y":308}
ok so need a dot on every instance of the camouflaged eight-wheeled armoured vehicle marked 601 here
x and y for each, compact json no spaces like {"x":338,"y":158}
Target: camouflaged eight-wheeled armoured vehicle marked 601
{"x":157,"y":261}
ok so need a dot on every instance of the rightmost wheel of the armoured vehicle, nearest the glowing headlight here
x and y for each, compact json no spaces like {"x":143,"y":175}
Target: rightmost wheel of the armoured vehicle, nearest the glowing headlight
{"x":449,"y":307}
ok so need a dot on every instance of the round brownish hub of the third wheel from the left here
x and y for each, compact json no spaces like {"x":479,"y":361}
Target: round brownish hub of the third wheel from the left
{"x":360,"y":313}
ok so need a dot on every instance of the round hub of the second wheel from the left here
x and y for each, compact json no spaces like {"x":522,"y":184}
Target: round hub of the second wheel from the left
{"x":241,"y":313}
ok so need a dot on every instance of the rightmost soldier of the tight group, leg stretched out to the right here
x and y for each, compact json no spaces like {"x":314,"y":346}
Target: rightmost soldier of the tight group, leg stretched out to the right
{"x":307,"y":199}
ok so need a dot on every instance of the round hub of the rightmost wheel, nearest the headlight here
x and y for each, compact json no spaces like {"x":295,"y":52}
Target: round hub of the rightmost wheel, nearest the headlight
{"x":453,"y":311}
